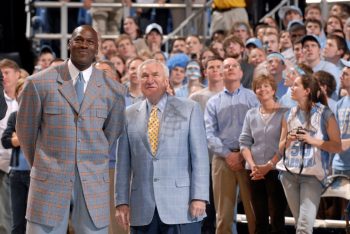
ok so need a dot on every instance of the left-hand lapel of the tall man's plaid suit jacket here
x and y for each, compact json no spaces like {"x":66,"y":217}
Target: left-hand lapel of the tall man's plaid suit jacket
{"x":66,"y":86}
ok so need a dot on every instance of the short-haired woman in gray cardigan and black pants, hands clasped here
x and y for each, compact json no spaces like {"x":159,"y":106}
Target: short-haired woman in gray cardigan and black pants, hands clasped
{"x":259,"y":146}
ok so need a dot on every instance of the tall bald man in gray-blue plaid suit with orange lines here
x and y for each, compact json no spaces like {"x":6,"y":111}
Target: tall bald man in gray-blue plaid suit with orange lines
{"x":69,"y":118}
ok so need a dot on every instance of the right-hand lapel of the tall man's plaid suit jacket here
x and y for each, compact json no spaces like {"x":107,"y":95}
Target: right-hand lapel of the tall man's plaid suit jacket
{"x":92,"y":90}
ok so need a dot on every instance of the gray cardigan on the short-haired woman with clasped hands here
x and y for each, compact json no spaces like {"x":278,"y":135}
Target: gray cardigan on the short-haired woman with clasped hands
{"x":261,"y":138}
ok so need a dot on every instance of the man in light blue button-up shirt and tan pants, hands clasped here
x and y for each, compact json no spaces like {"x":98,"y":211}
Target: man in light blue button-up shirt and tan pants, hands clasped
{"x":224,"y":117}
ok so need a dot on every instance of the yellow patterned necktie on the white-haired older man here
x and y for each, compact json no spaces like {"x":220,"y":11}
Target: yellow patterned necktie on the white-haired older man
{"x":153,"y":129}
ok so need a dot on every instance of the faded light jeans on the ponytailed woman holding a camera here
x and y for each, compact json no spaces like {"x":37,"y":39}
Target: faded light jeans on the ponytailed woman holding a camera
{"x":303,"y":195}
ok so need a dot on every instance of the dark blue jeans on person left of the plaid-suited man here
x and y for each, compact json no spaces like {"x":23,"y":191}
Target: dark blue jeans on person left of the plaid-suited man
{"x":19,"y":187}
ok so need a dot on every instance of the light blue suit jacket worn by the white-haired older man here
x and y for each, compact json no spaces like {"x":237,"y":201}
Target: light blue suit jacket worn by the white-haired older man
{"x":177,"y":174}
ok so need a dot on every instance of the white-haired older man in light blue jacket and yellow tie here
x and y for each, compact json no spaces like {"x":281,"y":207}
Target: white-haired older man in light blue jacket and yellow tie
{"x":169,"y":186}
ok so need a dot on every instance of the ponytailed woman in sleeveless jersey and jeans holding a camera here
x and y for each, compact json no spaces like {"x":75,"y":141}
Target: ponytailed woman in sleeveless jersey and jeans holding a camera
{"x":309,"y":132}
